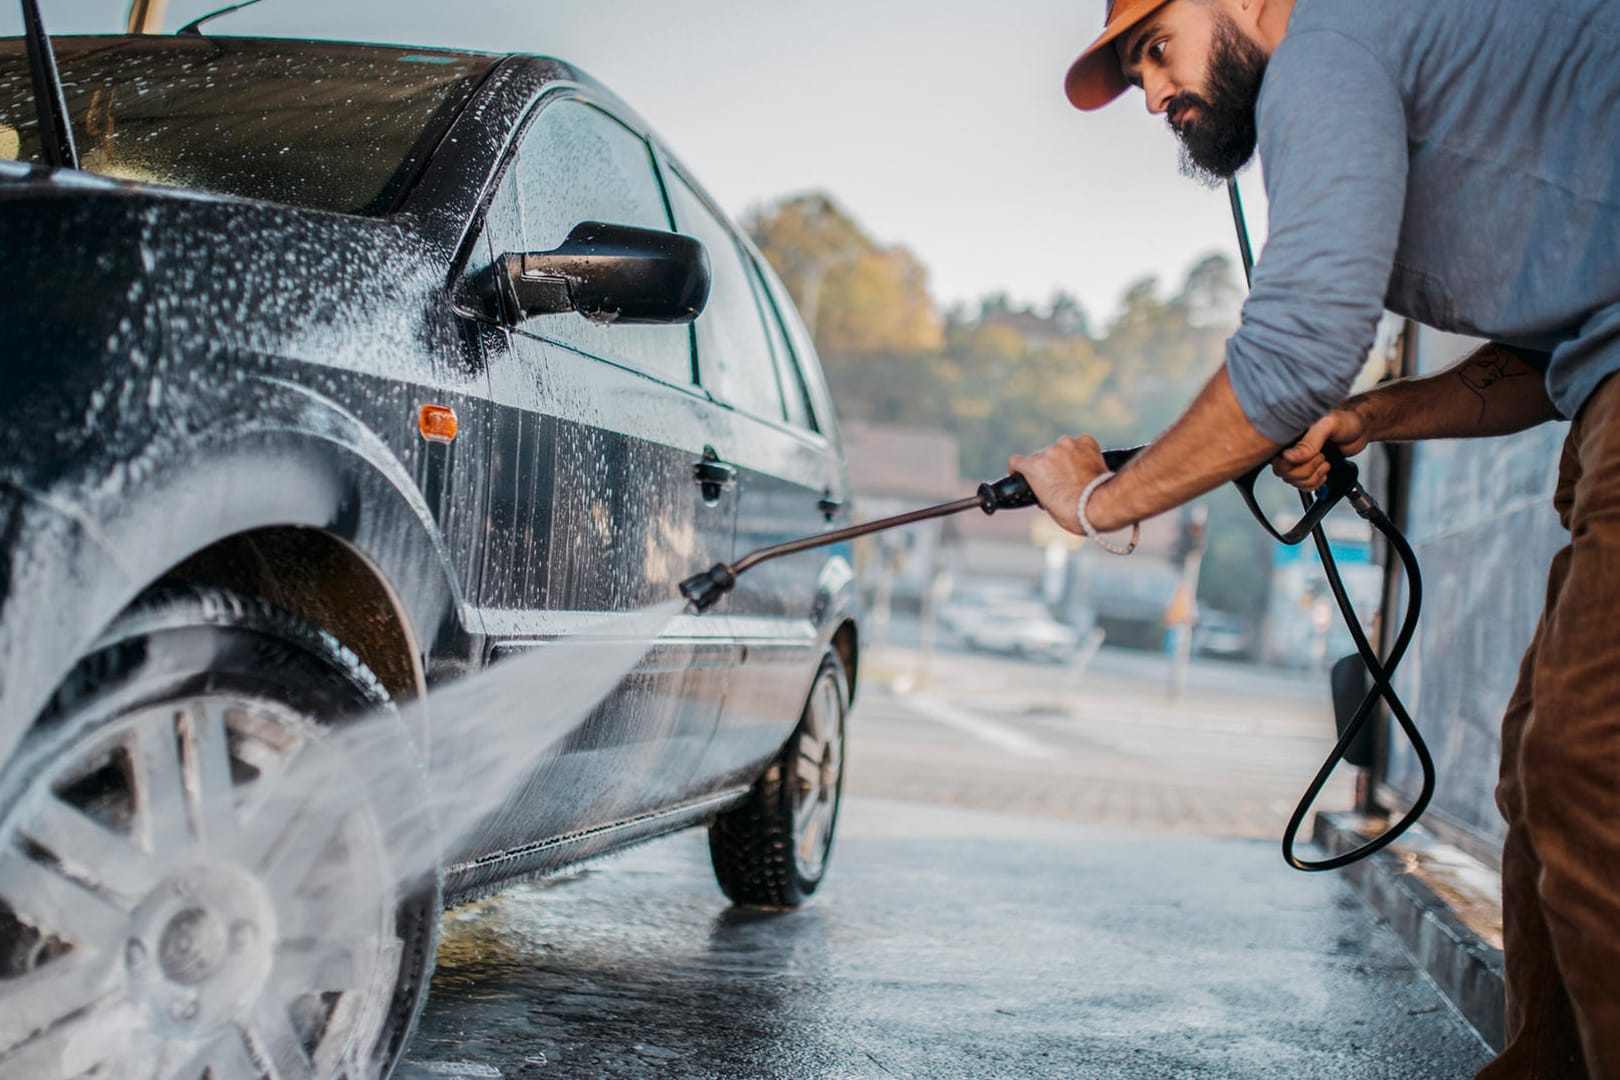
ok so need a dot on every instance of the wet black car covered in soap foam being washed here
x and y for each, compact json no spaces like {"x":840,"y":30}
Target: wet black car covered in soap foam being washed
{"x":338,"y":373}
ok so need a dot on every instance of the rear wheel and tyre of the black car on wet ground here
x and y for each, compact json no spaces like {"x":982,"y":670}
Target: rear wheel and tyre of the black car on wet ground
{"x":774,"y":849}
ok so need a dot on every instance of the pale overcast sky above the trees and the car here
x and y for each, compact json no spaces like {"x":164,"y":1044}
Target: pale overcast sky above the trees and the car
{"x":940,"y":125}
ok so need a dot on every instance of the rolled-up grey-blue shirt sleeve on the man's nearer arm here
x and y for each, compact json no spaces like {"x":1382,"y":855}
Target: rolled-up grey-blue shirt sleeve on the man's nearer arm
{"x":1334,"y":147}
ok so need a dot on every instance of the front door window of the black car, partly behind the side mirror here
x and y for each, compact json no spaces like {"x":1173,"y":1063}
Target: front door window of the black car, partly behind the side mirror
{"x":578,"y":164}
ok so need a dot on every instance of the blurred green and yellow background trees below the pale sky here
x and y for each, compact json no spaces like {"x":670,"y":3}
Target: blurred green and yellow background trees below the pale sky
{"x":1005,"y":378}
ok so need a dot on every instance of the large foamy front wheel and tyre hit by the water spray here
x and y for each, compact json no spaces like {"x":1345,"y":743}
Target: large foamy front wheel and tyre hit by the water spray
{"x":143,"y":932}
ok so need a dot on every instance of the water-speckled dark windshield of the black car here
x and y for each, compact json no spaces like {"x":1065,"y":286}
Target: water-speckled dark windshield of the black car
{"x":318,"y":125}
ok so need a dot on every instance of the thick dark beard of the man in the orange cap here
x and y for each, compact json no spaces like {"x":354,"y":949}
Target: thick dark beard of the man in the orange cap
{"x":1222,"y":138}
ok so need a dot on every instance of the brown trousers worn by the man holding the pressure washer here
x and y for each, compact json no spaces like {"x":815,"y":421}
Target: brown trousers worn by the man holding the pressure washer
{"x":1561,"y":786}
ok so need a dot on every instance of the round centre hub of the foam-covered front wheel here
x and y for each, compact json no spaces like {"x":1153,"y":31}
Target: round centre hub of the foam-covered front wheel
{"x":202,"y":948}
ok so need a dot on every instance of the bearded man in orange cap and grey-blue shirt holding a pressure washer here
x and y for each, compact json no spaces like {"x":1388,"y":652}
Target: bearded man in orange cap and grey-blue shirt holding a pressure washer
{"x":1457,"y":163}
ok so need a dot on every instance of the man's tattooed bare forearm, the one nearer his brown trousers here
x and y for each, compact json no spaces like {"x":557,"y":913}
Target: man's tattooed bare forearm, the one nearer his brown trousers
{"x":1490,"y":393}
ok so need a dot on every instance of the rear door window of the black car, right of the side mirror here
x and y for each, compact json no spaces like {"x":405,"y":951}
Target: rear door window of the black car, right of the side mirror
{"x":735,"y":355}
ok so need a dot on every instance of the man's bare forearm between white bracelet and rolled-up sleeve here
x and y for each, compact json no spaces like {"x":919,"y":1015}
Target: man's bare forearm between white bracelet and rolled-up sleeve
{"x":1209,"y":446}
